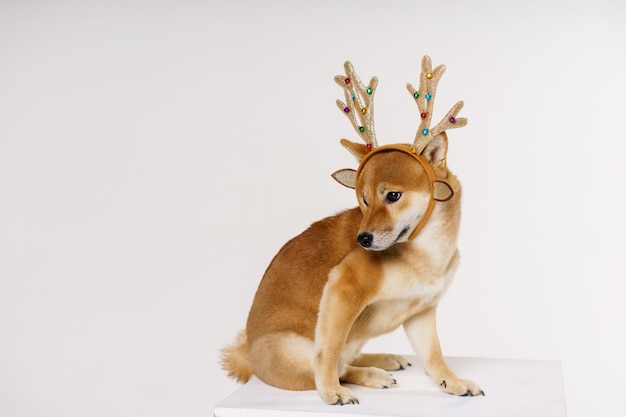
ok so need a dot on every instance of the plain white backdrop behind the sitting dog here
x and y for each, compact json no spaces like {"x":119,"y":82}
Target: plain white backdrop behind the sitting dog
{"x":155,"y":155}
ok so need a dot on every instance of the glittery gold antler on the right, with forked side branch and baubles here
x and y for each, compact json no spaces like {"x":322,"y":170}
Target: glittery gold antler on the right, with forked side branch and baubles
{"x":425,"y":100}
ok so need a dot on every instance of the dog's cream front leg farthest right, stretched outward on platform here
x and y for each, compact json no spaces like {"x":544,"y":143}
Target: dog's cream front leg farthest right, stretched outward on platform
{"x":421,"y":330}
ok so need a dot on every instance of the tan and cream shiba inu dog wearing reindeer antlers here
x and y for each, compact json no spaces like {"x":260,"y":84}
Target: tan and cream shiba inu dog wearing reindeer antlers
{"x":366,"y":271}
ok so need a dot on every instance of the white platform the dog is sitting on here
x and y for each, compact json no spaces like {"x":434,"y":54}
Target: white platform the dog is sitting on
{"x":514,"y":388}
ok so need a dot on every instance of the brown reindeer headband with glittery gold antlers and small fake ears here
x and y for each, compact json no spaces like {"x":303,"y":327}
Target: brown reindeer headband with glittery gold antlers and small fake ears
{"x":359,"y":108}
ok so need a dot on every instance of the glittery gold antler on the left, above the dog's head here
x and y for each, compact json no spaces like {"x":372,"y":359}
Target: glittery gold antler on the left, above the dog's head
{"x":359,"y":105}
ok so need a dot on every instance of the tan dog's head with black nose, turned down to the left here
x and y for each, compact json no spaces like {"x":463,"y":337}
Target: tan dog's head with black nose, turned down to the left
{"x":397,"y":190}
